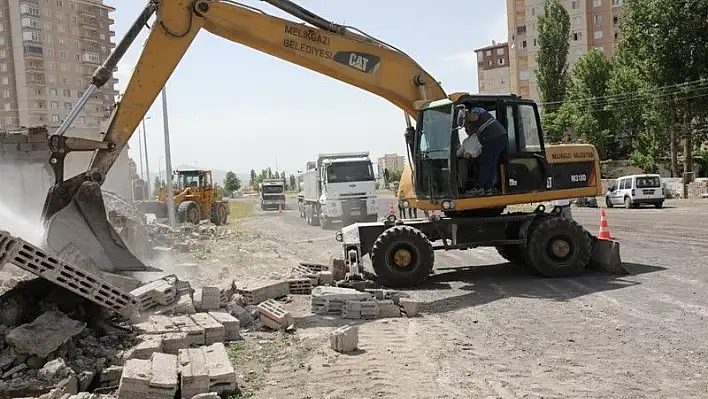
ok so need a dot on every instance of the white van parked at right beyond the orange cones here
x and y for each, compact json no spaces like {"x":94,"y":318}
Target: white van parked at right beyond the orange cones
{"x":635,"y":190}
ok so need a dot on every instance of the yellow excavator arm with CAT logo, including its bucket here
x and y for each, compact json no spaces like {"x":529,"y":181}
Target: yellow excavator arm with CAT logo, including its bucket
{"x":334,"y":50}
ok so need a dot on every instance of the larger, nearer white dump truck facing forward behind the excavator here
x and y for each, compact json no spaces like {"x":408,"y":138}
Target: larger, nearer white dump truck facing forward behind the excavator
{"x":338,"y":188}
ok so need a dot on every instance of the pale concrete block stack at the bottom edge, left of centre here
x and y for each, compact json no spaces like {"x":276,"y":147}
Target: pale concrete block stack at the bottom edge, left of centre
{"x":193,"y":371}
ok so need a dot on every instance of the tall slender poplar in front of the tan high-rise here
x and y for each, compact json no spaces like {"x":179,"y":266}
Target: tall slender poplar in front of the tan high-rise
{"x":552,"y":57}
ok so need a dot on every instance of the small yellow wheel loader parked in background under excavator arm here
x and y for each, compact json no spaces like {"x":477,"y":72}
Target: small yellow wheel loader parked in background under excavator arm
{"x":195,"y":198}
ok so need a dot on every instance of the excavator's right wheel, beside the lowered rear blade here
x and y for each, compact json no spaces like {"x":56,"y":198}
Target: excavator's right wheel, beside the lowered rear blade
{"x":558,"y":247}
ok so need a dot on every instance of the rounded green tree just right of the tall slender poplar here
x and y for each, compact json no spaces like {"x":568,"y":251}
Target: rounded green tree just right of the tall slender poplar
{"x":584,"y":110}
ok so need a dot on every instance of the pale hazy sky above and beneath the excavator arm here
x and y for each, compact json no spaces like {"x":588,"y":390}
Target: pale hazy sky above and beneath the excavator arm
{"x":234,"y":108}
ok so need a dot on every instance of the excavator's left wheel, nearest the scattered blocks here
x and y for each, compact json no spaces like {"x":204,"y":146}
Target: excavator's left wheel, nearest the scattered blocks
{"x":402,"y":257}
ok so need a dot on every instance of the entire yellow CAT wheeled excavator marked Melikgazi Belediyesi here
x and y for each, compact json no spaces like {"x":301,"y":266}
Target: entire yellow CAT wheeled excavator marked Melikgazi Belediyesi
{"x":401,"y":251}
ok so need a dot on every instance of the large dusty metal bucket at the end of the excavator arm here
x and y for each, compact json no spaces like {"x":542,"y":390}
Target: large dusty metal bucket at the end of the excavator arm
{"x":82,"y":226}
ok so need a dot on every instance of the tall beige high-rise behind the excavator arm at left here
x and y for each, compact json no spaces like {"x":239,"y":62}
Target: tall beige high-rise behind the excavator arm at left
{"x":48,"y":51}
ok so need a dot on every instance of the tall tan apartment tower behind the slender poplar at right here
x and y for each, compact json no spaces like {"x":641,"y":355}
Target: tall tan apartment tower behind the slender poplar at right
{"x":593,"y":23}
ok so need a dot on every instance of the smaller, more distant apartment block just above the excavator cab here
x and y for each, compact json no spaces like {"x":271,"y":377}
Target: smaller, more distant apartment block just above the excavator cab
{"x":493,"y":69}
